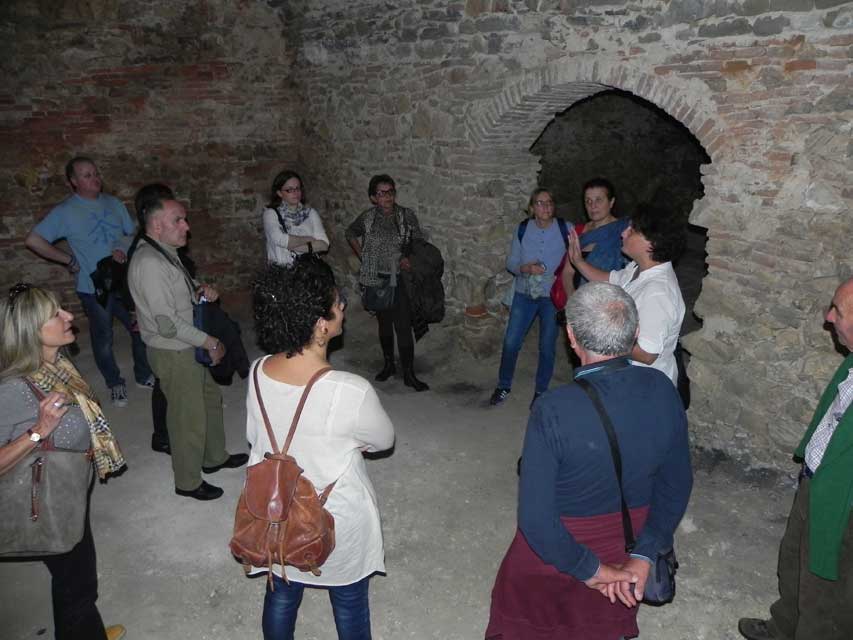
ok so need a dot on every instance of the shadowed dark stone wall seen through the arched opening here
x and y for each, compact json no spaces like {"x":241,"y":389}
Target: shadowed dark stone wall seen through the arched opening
{"x":645,"y":153}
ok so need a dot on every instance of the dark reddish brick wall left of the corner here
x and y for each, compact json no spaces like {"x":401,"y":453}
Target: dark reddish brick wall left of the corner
{"x":197,"y":94}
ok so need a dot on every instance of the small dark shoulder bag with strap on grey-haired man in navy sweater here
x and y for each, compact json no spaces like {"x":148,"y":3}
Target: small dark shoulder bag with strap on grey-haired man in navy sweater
{"x":660,"y":586}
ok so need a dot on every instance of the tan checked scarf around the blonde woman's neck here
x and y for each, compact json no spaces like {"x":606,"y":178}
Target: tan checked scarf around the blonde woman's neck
{"x":63,"y":377}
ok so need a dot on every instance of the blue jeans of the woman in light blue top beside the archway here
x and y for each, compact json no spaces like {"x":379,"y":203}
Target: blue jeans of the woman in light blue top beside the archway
{"x":521,"y":316}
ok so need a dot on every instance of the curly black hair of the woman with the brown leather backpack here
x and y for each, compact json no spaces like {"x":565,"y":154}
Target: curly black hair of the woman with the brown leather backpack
{"x":288,"y":301}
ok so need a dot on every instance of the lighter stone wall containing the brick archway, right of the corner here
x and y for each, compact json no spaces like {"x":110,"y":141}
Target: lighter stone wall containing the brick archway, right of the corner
{"x":449,"y":96}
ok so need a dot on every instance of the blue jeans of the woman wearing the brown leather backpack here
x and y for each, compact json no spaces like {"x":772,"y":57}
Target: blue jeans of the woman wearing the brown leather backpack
{"x":349,"y":606}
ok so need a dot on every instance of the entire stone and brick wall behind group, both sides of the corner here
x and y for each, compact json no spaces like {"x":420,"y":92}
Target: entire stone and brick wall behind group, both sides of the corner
{"x":448,"y":96}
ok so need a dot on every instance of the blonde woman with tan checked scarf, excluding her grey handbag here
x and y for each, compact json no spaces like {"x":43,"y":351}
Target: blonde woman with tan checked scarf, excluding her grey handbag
{"x":46,"y":401}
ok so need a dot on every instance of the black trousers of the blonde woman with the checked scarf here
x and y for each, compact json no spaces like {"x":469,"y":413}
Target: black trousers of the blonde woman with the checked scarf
{"x":74,"y":589}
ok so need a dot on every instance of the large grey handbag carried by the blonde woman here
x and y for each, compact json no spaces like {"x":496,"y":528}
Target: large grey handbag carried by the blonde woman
{"x":43,"y":501}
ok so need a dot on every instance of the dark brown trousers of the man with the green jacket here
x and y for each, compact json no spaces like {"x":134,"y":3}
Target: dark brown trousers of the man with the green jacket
{"x":810,"y":607}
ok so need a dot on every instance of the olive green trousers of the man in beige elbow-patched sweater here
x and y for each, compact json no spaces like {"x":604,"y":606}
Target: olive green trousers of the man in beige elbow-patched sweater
{"x":193,"y":416}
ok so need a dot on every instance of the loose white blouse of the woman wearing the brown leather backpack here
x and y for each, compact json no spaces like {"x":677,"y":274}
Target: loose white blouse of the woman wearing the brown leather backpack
{"x":341,"y":418}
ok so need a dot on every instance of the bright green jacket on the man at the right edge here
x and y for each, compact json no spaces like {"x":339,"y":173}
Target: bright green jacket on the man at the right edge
{"x":831,"y":488}
